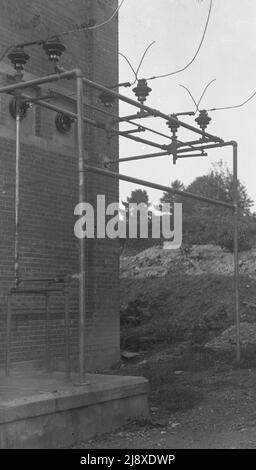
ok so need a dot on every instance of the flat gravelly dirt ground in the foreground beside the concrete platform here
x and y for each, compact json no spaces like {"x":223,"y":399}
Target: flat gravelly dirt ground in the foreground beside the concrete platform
{"x":221,"y":415}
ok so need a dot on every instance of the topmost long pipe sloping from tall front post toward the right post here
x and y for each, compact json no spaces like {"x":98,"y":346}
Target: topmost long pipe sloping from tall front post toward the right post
{"x":152,"y":111}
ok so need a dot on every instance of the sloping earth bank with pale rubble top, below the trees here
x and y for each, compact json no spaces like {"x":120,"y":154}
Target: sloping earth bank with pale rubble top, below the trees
{"x":173,"y":296}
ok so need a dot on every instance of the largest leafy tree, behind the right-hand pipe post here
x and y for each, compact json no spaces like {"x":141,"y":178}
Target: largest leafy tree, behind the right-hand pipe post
{"x":205,"y":223}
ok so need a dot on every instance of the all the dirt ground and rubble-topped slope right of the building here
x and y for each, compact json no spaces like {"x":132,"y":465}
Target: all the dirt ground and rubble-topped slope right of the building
{"x":177,"y":329}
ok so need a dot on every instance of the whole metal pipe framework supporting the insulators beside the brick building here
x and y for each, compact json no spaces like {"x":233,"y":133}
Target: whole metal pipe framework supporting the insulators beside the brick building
{"x":82,"y":168}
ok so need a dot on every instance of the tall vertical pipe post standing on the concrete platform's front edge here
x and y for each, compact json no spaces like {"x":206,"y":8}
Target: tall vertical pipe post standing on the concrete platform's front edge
{"x":81,"y":189}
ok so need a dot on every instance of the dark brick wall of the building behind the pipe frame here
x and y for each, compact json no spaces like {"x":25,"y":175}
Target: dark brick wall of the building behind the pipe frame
{"x":48,"y":185}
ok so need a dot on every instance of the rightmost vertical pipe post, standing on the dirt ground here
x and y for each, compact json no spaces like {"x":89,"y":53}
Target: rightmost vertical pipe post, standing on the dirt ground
{"x":236,"y":251}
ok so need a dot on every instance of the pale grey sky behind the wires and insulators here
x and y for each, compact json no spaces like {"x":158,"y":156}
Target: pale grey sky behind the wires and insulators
{"x":228,"y":55}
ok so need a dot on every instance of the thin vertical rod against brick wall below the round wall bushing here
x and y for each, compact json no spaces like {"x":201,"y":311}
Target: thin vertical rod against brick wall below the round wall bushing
{"x":17,"y":199}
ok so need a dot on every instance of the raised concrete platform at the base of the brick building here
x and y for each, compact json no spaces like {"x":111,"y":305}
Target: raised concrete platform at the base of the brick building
{"x":43,"y":411}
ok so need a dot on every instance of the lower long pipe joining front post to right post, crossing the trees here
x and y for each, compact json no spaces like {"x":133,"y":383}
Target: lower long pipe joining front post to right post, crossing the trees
{"x":160,"y":187}
